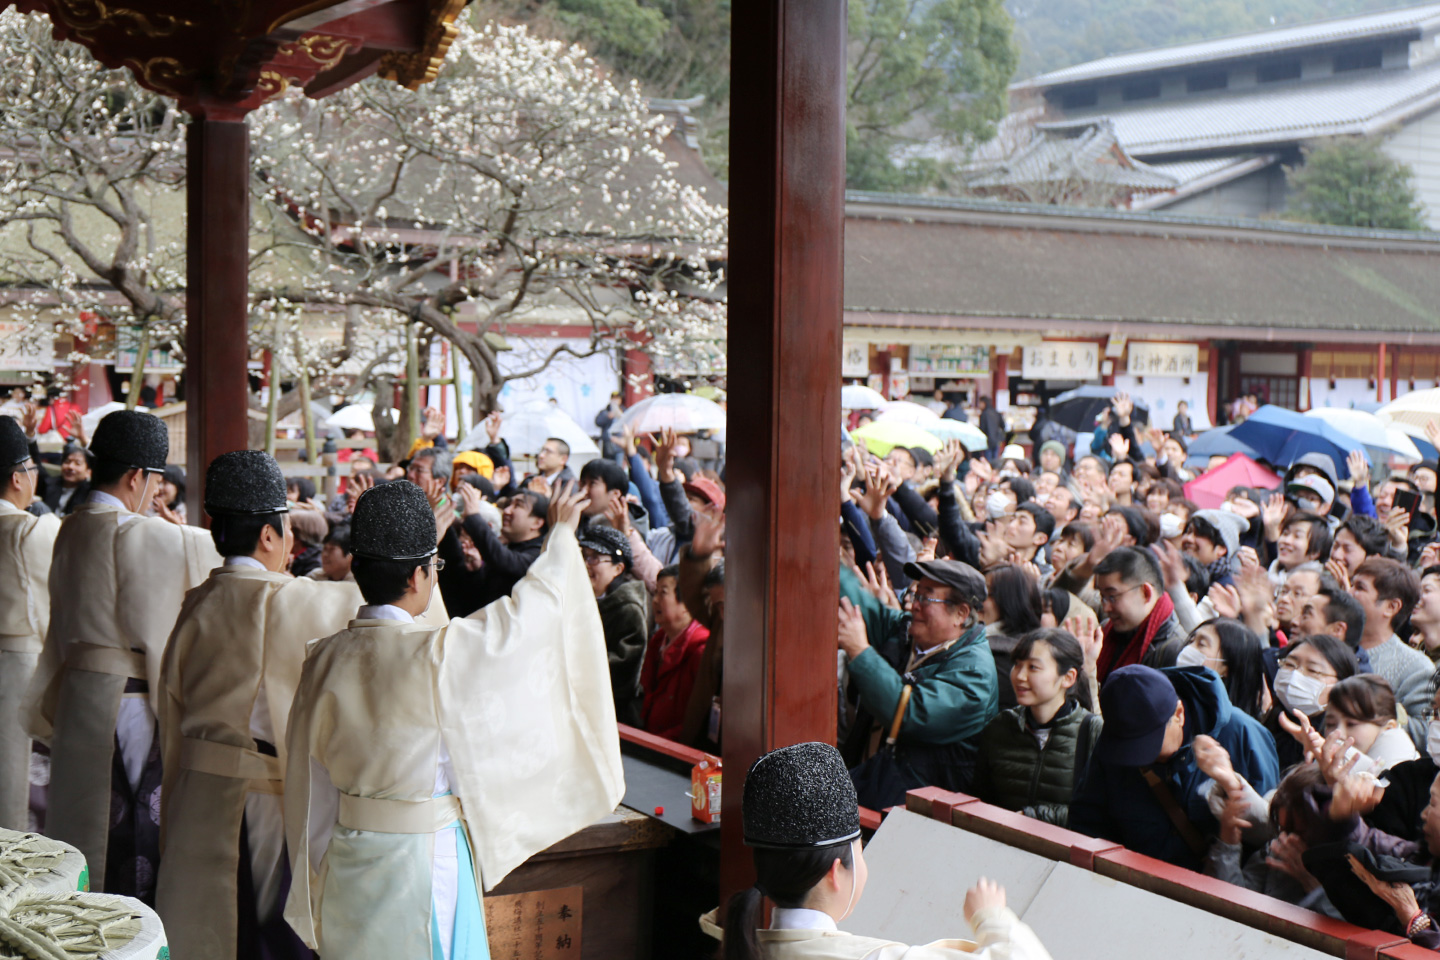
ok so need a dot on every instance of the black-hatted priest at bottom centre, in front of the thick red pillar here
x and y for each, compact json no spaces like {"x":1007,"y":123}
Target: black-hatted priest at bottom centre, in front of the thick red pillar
{"x":803,"y":825}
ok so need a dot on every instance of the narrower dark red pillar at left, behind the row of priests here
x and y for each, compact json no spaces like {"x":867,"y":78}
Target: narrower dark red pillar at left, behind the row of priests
{"x":218,"y":209}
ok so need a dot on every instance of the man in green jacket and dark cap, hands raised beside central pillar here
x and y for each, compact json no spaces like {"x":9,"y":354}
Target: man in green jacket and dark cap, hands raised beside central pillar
{"x":941,"y":654}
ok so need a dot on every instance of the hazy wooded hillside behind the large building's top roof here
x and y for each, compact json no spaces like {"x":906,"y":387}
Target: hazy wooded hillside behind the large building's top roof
{"x":1056,"y":34}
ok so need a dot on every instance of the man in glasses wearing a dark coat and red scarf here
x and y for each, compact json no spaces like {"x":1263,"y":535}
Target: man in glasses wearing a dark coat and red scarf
{"x":1141,"y":624}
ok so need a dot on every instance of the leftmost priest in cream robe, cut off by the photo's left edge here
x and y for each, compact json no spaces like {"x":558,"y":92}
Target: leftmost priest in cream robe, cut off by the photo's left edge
{"x":25,"y":612}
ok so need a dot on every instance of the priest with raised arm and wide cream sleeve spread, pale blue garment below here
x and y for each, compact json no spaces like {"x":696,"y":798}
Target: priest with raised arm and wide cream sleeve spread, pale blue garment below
{"x":427,"y":764}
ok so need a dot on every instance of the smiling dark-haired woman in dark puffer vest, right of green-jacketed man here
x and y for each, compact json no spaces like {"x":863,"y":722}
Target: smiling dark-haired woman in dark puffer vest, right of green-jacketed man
{"x":1032,"y":756}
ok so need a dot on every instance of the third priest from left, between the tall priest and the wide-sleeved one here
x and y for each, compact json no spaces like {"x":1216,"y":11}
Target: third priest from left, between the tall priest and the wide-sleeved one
{"x":228,"y":681}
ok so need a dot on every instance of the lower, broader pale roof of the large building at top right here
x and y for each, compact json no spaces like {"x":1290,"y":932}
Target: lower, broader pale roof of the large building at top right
{"x":1271,"y":116}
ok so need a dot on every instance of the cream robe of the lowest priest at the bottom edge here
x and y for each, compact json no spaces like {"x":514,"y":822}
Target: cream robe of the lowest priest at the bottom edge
{"x":999,"y":936}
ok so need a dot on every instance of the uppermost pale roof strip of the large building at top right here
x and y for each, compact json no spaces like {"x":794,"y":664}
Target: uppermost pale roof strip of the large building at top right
{"x":1390,"y":24}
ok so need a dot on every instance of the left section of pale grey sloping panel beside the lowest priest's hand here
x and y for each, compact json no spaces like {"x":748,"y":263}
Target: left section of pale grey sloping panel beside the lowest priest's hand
{"x":919,"y":873}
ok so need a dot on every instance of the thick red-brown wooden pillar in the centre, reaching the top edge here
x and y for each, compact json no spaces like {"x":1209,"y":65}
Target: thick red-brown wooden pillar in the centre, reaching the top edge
{"x":787,"y":263}
